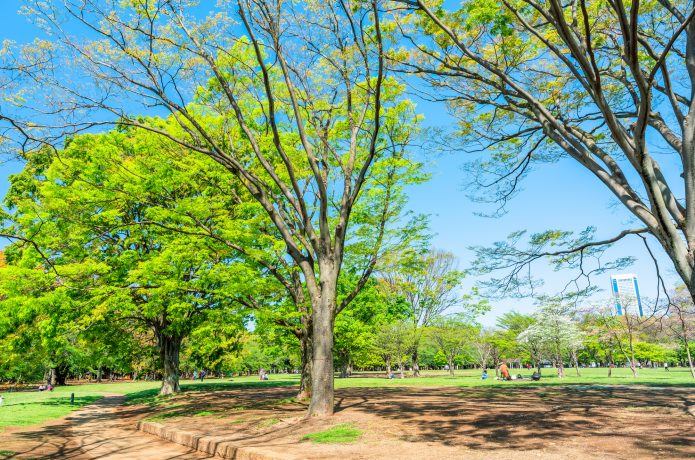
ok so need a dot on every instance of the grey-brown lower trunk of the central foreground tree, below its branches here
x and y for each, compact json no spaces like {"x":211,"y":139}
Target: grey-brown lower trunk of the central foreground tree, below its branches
{"x":322,"y":369}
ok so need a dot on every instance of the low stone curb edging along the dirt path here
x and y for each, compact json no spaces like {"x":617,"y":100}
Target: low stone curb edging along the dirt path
{"x":212,"y":445}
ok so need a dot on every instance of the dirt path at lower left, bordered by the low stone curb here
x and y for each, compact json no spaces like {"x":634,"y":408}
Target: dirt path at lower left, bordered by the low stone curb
{"x":104,"y":430}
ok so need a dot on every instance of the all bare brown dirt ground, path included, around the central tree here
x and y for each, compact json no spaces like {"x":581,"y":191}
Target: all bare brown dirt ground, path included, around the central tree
{"x":570,"y":422}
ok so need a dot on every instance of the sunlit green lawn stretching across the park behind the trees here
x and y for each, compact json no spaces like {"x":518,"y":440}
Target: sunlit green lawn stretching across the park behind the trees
{"x":30,"y":408}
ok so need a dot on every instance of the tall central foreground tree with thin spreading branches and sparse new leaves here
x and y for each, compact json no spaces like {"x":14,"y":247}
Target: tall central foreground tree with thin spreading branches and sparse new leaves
{"x":293,"y":100}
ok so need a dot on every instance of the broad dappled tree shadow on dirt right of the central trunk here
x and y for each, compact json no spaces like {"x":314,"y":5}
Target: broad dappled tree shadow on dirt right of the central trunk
{"x":527,"y":418}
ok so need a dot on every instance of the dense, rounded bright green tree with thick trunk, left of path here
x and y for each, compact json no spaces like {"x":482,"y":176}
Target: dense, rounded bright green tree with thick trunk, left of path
{"x":101,"y":210}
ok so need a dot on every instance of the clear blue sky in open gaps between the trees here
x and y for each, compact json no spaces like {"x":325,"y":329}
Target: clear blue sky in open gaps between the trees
{"x":561,"y":195}
